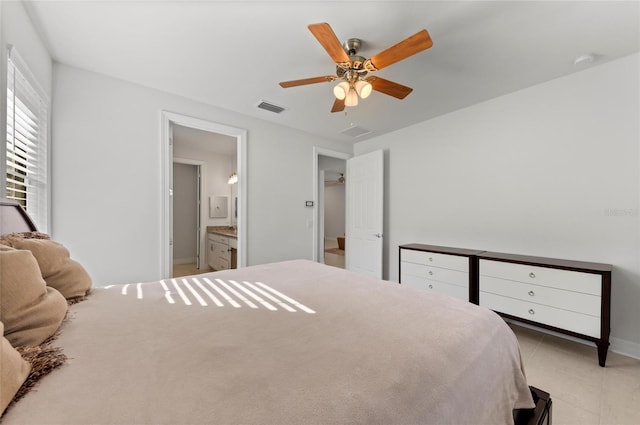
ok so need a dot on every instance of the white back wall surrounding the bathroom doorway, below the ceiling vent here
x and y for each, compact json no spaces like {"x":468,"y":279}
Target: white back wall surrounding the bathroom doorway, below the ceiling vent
{"x":107,"y":177}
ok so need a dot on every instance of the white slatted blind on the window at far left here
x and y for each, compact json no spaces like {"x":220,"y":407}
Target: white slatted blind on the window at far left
{"x":26,"y":166}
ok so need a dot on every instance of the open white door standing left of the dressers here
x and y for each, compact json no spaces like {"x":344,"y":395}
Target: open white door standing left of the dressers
{"x":365,"y":178}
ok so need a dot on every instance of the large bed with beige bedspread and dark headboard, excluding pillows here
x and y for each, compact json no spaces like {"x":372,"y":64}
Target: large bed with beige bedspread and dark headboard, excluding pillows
{"x":294,"y":342}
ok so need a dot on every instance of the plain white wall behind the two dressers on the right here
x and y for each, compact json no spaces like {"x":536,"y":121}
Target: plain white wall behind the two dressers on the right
{"x":552,"y":170}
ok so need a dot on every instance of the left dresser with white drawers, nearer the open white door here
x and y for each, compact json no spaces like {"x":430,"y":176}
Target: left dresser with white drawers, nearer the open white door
{"x":450,"y":271}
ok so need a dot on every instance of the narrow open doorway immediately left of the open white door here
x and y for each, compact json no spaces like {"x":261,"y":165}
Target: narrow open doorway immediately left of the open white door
{"x":330,"y":181}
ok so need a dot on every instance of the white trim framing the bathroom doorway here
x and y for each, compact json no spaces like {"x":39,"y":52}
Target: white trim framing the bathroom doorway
{"x":167,"y":119}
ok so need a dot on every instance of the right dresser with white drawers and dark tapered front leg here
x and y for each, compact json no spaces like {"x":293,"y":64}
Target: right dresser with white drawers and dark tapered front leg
{"x":565,"y":296}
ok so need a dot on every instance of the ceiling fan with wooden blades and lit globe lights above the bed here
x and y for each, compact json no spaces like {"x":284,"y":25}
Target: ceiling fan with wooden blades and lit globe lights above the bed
{"x":352,"y":69}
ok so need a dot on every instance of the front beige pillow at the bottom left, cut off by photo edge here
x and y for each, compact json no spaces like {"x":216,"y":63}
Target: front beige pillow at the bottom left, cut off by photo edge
{"x":13,"y":371}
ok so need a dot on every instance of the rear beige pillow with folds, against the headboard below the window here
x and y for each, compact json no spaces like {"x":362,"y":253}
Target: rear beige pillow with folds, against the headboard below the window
{"x":57,"y":267}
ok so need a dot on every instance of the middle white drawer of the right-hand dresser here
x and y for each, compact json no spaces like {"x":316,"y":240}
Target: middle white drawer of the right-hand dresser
{"x":558,"y":298}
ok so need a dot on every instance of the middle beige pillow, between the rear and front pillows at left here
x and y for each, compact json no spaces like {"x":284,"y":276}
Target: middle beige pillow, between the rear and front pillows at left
{"x":31,"y":311}
